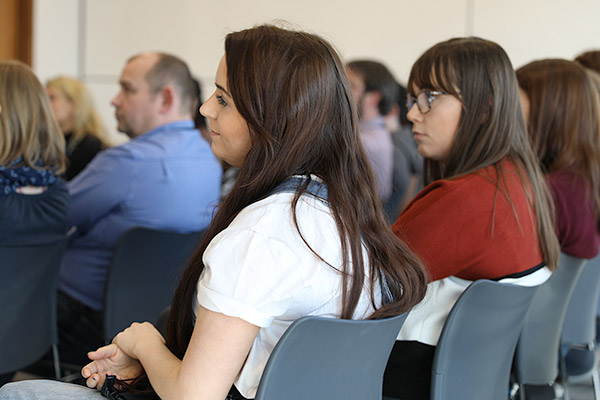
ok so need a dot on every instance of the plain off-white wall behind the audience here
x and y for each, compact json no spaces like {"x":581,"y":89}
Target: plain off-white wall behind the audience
{"x":91,"y":39}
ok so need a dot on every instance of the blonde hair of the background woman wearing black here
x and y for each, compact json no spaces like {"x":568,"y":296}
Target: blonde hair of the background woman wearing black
{"x":86,"y":120}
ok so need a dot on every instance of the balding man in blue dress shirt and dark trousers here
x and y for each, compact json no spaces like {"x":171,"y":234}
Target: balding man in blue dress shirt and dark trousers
{"x":166,"y":178}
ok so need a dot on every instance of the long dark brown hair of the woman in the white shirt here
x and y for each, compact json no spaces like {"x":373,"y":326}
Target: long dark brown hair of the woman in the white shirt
{"x":292,"y":90}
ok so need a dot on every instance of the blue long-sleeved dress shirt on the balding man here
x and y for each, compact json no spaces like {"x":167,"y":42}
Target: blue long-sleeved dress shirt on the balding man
{"x":167,"y":178}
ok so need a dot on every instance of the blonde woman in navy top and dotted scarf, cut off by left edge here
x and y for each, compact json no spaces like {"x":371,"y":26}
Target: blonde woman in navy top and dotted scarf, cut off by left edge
{"x":34,"y":201}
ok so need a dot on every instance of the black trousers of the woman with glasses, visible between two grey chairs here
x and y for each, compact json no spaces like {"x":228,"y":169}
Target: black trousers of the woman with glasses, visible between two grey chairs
{"x":408,"y":372}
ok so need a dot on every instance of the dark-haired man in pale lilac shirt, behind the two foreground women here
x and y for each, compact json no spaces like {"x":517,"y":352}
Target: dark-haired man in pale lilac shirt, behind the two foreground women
{"x":374,"y":91}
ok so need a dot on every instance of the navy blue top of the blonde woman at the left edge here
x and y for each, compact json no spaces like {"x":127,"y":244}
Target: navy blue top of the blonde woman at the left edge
{"x":35,"y":219}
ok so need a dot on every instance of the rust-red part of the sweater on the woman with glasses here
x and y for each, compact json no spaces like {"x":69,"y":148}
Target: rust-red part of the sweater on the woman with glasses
{"x":467,"y":228}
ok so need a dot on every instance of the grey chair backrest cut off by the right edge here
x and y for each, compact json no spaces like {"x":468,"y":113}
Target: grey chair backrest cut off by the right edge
{"x":580,"y":320}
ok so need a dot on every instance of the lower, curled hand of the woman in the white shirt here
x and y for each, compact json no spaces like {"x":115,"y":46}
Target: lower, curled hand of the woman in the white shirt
{"x":110,"y":360}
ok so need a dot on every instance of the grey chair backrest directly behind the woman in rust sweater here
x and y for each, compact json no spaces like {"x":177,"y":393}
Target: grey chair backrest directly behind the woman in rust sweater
{"x":473,"y":357}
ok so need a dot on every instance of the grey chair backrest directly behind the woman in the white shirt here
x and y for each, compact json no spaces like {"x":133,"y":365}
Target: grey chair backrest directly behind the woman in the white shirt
{"x":325,"y":358}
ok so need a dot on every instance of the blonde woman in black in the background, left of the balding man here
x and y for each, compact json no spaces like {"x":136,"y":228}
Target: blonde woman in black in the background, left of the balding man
{"x":74,"y":110}
